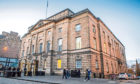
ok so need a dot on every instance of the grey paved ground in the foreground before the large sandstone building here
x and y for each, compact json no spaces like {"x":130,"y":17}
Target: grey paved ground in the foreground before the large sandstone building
{"x":59,"y":80}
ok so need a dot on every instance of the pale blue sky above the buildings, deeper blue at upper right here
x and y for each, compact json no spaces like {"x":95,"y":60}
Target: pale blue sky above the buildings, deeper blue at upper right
{"x":121,"y":16}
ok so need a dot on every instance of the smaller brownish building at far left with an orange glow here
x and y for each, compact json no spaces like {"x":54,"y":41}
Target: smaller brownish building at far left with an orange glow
{"x":9,"y":47}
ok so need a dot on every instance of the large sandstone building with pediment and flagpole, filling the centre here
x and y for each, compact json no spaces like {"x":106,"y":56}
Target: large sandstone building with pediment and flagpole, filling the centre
{"x":73,"y":41}
